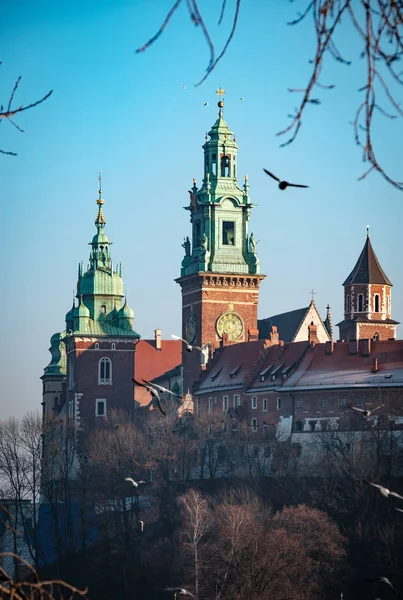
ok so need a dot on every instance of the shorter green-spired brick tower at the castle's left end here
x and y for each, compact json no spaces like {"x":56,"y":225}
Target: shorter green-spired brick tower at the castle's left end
{"x":92,"y":360}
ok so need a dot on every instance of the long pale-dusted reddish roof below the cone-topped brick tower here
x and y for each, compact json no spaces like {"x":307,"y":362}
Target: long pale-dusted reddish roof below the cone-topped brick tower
{"x":340,"y":369}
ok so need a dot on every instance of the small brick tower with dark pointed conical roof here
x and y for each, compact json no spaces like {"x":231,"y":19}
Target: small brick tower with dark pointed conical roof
{"x":367,"y":300}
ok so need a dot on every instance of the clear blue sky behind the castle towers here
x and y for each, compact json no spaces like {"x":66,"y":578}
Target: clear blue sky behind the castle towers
{"x":128,"y":115}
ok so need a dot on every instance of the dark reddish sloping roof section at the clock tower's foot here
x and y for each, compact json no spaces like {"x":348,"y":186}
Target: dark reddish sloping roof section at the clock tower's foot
{"x":232,"y":365}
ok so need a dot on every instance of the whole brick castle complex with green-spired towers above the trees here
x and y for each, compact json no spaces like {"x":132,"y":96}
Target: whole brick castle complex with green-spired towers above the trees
{"x":286,"y":368}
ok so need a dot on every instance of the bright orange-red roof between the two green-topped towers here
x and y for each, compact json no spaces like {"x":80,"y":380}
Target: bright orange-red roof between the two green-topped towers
{"x":150,"y":363}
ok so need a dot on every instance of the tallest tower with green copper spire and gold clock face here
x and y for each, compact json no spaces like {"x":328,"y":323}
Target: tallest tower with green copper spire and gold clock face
{"x":220,"y":273}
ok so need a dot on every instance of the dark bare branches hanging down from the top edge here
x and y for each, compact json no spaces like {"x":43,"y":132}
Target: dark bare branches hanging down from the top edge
{"x":378,"y":25}
